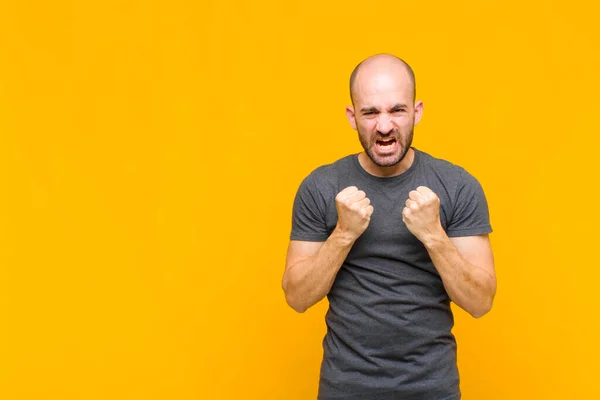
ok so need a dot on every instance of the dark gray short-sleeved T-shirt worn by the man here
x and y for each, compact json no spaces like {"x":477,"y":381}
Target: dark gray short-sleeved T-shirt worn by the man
{"x":389,"y":320}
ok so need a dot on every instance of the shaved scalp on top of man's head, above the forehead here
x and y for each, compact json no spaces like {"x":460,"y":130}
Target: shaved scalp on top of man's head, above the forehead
{"x":381,"y":64}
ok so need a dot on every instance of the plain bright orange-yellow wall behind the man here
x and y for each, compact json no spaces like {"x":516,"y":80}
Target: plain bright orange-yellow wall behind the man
{"x":150,"y":152}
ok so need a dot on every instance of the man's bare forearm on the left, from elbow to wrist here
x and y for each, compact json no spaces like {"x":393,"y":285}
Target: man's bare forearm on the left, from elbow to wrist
{"x":309,"y":280}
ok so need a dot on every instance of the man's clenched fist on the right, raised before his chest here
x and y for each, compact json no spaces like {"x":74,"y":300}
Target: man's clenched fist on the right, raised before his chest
{"x":422,"y":213}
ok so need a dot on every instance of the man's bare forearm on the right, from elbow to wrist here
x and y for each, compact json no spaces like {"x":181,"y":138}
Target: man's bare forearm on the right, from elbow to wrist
{"x":472,"y":288}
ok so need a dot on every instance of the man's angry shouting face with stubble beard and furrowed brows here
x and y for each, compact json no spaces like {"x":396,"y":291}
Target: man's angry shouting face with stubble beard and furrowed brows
{"x":384,"y":115}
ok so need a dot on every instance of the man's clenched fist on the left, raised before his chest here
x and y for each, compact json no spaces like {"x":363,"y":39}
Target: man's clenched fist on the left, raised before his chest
{"x":354,"y":211}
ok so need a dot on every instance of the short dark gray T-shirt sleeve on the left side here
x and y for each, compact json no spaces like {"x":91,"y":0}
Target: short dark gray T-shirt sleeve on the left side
{"x":308,"y":213}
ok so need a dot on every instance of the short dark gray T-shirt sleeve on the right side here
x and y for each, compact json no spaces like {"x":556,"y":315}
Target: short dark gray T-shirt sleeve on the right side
{"x":470,"y":212}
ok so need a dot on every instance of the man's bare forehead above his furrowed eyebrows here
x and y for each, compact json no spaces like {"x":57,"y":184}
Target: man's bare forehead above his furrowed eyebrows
{"x":383,"y":87}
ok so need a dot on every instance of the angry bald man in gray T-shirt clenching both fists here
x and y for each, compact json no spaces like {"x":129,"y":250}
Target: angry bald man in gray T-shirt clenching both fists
{"x":391,"y":236}
